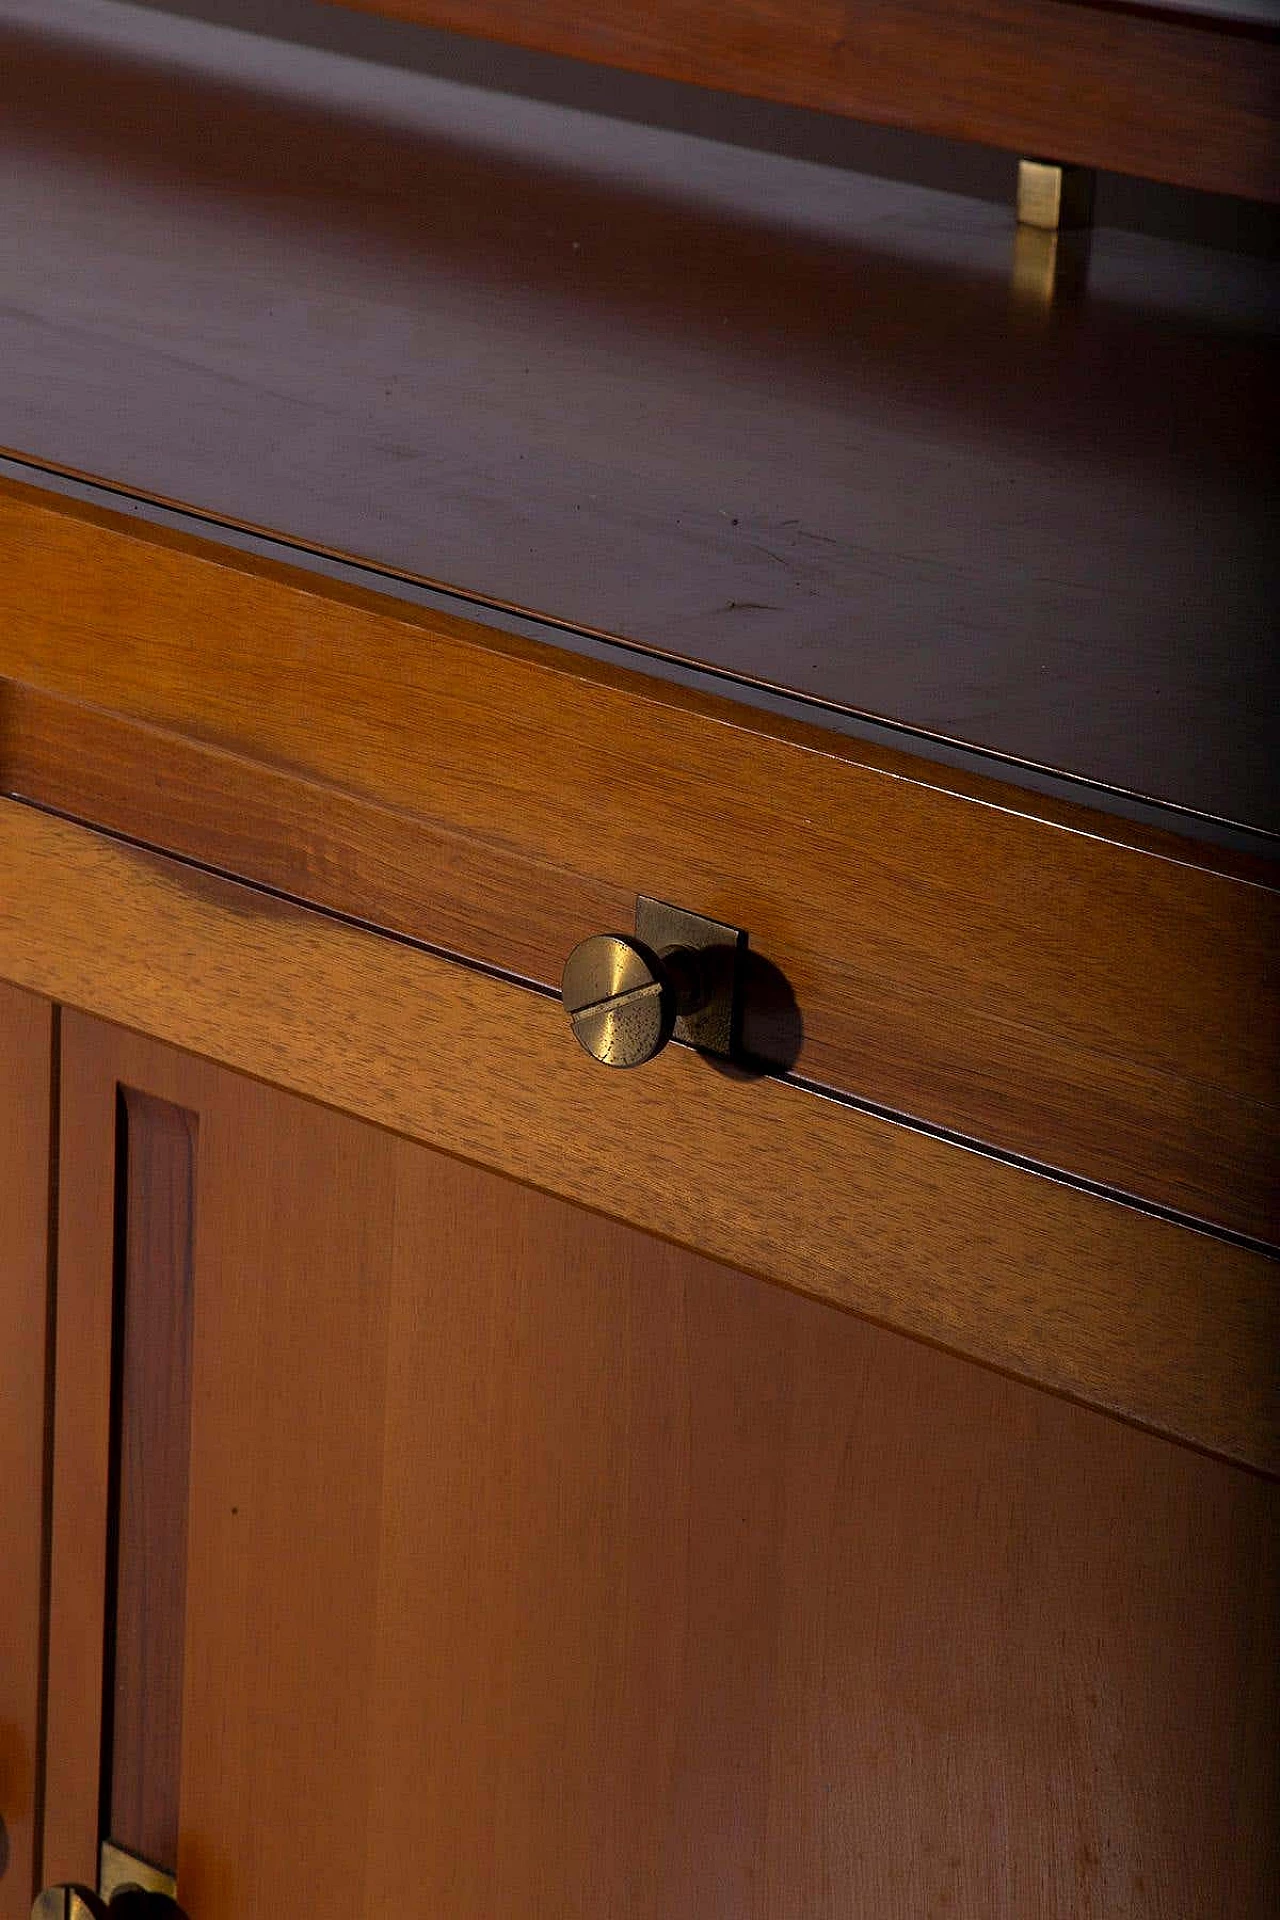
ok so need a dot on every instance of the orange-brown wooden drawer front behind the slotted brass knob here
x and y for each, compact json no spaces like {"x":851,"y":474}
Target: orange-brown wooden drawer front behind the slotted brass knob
{"x":1035,"y":976}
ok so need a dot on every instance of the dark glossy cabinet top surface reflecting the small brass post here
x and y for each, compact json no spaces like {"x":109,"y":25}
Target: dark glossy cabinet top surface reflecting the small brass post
{"x":780,"y":418}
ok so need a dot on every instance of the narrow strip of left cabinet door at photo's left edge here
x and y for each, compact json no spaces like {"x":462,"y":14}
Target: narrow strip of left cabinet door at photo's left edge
{"x":26,"y":1111}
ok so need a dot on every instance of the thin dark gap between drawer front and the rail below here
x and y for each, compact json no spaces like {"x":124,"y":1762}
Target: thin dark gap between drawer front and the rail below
{"x":803,"y":1084}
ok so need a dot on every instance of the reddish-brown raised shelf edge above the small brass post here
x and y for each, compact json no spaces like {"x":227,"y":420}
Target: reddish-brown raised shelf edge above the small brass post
{"x":1185,"y":101}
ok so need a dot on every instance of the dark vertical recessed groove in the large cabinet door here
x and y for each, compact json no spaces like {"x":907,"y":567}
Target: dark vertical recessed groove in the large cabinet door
{"x":156,"y":1174}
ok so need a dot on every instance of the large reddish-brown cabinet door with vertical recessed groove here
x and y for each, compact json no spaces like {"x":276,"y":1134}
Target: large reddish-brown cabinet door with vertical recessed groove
{"x":458,"y":1552}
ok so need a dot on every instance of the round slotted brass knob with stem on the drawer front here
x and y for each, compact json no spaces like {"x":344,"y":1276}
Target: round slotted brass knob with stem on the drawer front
{"x":623,"y":999}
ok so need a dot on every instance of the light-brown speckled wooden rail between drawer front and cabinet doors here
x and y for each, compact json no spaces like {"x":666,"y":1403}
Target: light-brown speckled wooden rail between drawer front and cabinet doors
{"x":1170,"y":1328}
